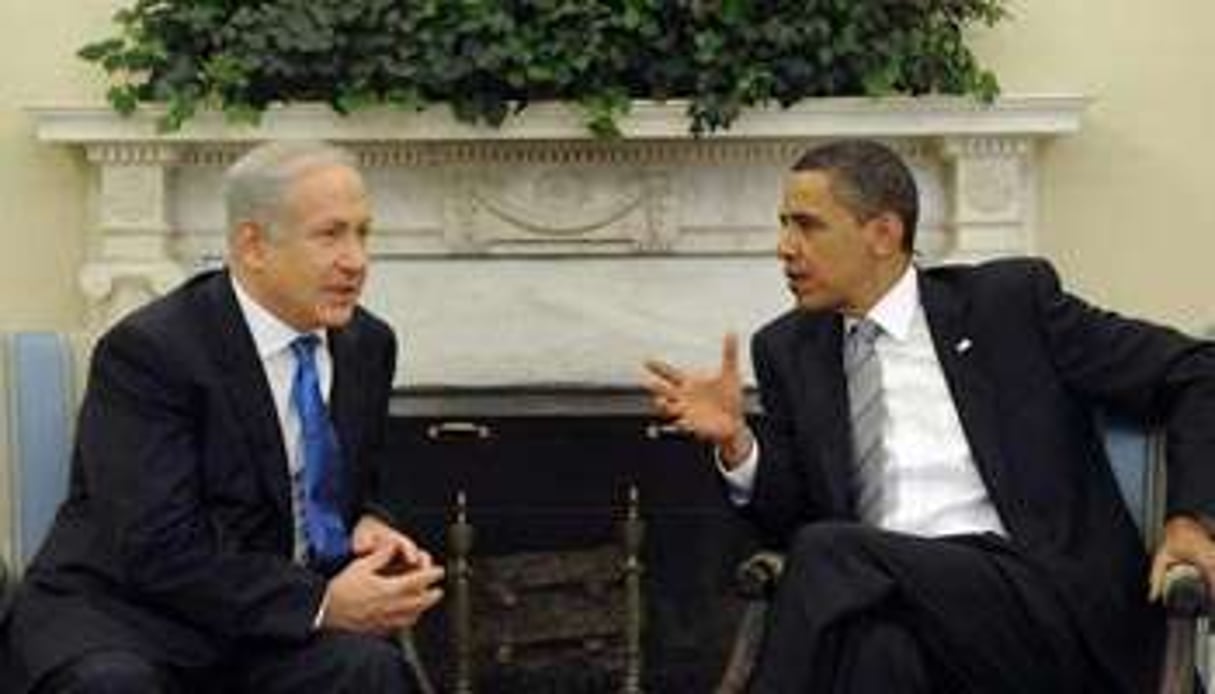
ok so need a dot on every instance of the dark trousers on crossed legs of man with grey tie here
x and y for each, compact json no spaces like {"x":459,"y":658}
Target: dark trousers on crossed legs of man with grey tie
{"x":979,"y":617}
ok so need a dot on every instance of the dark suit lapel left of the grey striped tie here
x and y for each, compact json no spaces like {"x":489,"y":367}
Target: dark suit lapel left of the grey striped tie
{"x":826,"y":396}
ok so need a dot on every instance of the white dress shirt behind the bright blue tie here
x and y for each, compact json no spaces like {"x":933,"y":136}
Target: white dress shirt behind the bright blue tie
{"x":274,"y":340}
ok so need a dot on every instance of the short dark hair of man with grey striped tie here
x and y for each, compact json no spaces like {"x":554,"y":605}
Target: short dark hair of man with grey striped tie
{"x":868,"y":179}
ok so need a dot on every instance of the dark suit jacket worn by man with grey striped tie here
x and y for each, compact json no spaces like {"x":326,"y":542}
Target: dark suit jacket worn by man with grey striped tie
{"x":1037,"y":365}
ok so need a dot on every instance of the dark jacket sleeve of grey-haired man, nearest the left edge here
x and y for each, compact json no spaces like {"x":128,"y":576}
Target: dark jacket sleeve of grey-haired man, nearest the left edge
{"x":144,"y":442}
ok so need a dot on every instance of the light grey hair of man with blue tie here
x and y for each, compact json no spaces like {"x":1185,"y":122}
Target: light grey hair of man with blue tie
{"x":255,"y":187}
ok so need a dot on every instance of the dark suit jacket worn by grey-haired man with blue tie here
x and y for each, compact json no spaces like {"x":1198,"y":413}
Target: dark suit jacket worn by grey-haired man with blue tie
{"x":177,"y":535}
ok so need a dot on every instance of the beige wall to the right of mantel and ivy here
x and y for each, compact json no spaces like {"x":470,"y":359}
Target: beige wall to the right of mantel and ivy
{"x":1126,"y":208}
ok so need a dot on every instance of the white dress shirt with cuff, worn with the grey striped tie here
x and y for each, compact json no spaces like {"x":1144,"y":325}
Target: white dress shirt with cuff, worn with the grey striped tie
{"x":928,"y":484}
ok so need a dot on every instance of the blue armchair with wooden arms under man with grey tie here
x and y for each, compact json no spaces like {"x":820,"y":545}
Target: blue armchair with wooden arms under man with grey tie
{"x":1138,"y":461}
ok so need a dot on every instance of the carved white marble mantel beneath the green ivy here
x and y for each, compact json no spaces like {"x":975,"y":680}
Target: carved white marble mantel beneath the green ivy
{"x":535,"y":255}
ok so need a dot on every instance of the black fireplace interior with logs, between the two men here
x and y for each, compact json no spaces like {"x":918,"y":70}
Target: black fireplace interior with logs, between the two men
{"x":546,"y":473}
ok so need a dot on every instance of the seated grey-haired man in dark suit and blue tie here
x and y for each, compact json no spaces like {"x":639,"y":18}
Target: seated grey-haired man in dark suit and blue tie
{"x":222,"y":528}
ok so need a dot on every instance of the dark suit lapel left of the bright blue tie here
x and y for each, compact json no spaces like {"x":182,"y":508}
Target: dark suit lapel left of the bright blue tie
{"x":245,"y":381}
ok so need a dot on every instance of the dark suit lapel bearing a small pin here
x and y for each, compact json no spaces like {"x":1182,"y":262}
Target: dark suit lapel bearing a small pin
{"x":973,"y":392}
